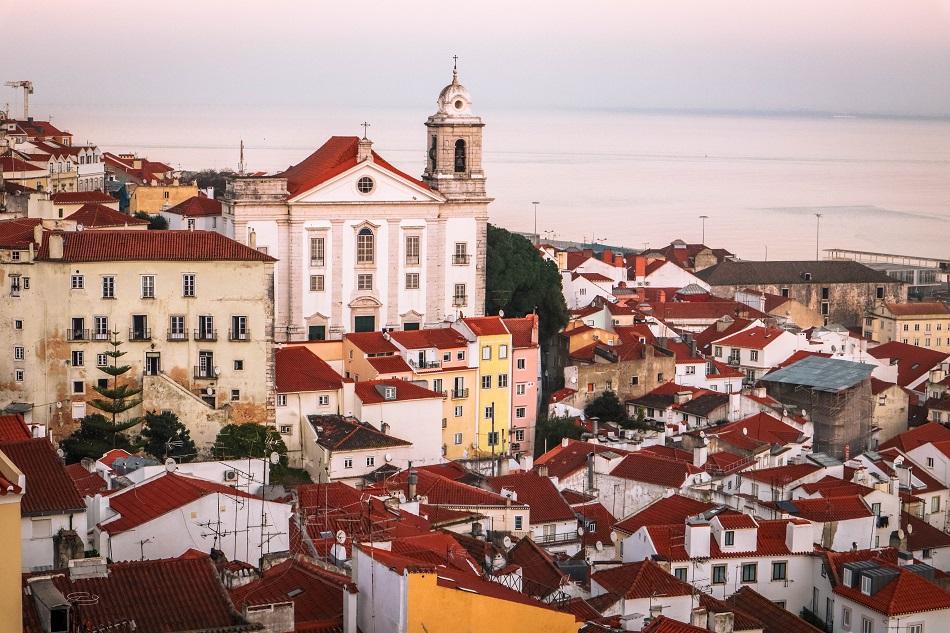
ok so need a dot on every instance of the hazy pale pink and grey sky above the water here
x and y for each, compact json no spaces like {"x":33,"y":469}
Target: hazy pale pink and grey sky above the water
{"x":845,"y":56}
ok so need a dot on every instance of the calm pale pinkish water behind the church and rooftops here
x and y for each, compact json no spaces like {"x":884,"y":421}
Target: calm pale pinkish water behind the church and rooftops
{"x":624,"y":178}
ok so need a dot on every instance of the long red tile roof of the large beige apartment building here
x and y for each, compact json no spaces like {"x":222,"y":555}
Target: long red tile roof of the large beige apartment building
{"x":124,"y":245}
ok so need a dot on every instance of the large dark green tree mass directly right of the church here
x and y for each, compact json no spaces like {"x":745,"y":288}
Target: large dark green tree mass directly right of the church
{"x":518,"y":281}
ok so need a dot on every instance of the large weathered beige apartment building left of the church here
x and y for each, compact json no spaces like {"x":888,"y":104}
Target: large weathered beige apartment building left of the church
{"x":193,"y":309}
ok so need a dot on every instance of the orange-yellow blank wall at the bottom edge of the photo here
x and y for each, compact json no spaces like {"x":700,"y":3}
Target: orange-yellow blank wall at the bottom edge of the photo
{"x":435,"y":609}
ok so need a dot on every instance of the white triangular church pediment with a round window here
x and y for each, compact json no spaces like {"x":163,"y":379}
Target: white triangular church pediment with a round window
{"x":367,"y":182}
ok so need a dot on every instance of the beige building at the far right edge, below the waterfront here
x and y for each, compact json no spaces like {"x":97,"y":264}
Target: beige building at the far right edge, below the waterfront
{"x":925,"y":324}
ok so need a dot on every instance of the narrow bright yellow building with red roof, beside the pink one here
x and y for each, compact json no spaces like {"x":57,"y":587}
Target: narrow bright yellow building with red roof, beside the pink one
{"x":490,"y":341}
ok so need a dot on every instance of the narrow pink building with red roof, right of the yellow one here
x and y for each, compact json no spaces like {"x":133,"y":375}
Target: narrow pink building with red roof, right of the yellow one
{"x":526,"y":381}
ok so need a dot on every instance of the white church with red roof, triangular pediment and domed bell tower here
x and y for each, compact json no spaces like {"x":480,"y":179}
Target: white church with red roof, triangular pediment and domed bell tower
{"x":363,"y":246}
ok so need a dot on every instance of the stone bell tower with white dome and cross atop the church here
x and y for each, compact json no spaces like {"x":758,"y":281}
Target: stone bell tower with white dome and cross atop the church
{"x":454,"y":145}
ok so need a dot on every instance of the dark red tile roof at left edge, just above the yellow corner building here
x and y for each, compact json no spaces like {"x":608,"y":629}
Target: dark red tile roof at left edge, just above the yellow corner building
{"x":49,"y":490}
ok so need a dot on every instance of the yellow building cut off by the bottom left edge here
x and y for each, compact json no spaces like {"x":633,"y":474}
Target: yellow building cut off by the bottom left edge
{"x":11,"y":493}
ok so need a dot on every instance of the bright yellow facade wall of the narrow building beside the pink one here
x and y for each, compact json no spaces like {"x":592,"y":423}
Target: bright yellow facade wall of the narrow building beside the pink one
{"x":499,"y":396}
